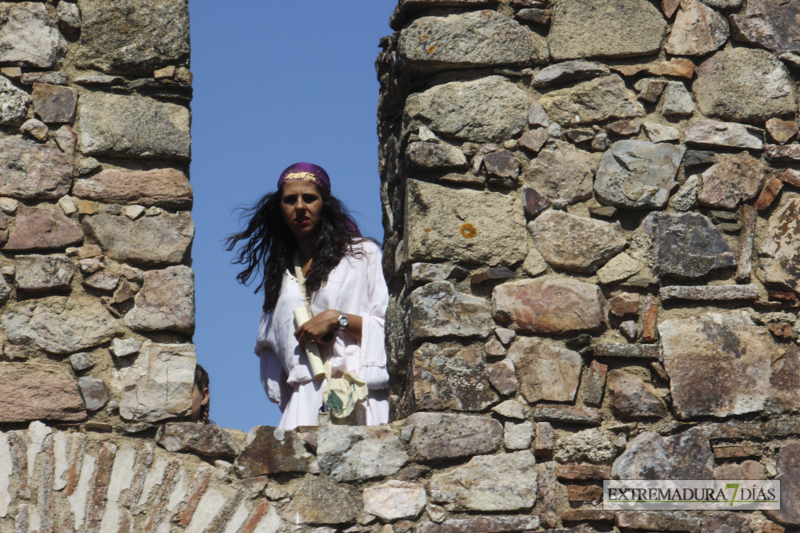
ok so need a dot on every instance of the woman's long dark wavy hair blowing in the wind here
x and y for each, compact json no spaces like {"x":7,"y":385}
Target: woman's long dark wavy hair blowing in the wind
{"x":269,"y":245}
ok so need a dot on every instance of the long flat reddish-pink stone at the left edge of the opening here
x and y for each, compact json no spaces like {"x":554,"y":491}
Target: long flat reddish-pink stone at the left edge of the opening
{"x":161,"y":187}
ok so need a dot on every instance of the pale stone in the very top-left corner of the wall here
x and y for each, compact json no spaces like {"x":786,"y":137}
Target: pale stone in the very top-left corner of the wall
{"x":28,"y":36}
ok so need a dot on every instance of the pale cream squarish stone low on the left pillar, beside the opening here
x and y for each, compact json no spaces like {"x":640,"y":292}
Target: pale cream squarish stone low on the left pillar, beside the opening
{"x":159,"y":383}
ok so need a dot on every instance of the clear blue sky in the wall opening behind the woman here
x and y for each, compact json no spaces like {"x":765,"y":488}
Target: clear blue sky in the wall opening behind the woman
{"x":274,"y":83}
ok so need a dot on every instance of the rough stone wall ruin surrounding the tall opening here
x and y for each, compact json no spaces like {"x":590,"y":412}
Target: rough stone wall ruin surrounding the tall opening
{"x":591,"y":214}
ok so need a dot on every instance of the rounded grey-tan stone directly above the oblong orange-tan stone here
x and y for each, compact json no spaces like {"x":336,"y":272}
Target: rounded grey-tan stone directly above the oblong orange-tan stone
{"x":576,"y":243}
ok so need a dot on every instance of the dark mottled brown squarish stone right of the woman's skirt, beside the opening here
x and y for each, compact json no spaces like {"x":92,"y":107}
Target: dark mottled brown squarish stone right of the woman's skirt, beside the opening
{"x":451,"y":378}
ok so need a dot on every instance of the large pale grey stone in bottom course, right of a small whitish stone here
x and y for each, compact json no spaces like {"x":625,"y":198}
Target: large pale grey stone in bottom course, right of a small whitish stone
{"x":505,"y":482}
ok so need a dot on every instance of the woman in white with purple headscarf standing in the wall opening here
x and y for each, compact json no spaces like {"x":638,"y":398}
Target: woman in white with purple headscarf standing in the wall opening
{"x":302,"y":225}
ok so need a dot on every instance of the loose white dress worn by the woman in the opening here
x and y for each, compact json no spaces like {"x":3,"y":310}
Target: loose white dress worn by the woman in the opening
{"x":356,"y":286}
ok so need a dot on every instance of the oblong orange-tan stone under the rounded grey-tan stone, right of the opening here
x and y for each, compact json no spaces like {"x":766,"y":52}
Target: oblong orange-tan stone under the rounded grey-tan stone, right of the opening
{"x":549,"y":304}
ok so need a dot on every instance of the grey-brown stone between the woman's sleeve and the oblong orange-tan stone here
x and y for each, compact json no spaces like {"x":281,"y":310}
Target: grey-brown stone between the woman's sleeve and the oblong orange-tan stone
{"x":439,"y":310}
